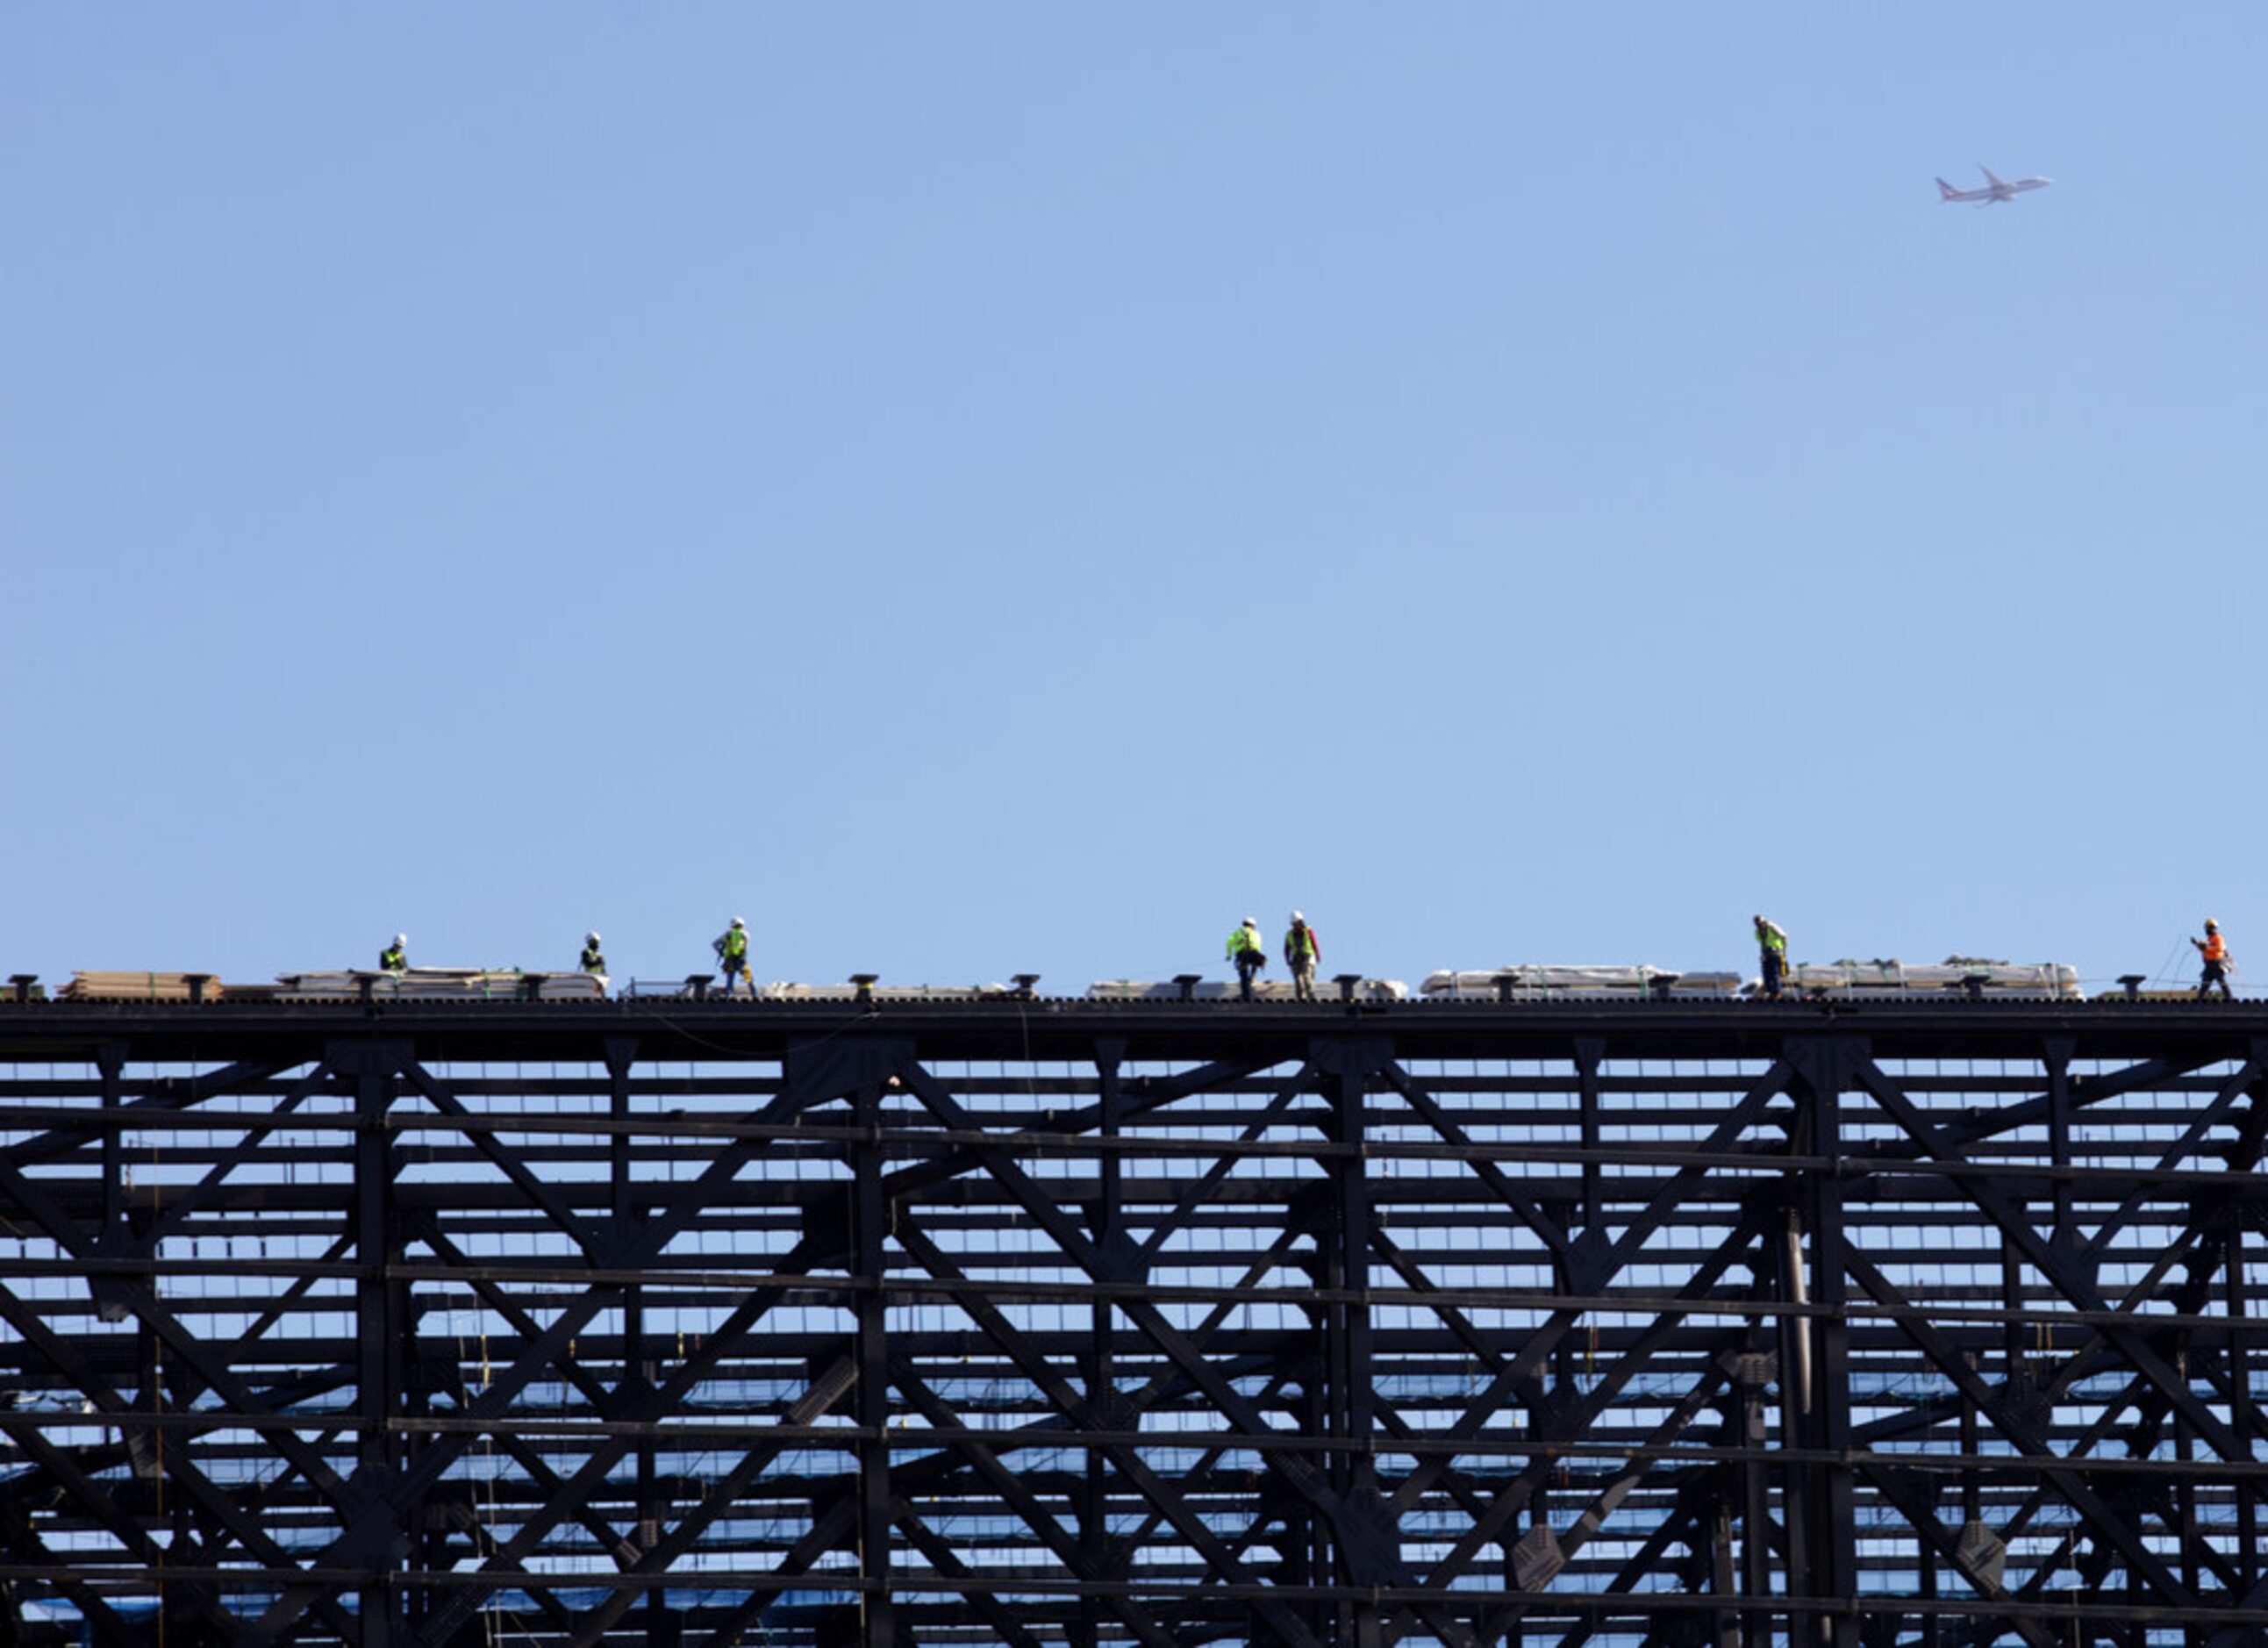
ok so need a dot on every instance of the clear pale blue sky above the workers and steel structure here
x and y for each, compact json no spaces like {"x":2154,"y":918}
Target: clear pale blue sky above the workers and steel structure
{"x":1022,"y":487}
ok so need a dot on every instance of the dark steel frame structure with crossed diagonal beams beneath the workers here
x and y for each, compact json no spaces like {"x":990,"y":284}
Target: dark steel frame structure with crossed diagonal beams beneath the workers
{"x":1056,"y":1322}
